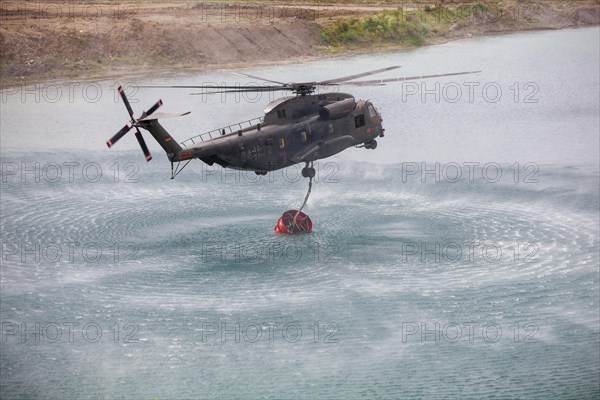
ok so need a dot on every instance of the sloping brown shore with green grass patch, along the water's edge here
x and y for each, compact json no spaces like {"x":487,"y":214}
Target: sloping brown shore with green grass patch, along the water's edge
{"x":149,"y":44}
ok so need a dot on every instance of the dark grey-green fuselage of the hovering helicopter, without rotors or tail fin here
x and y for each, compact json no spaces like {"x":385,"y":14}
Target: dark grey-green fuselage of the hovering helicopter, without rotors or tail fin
{"x":294,"y":130}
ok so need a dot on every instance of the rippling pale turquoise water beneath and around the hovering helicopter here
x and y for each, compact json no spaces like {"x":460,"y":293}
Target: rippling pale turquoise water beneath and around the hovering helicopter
{"x":416,"y":282}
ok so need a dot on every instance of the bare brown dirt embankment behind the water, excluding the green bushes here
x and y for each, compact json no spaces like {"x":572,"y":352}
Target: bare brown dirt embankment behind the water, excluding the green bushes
{"x":58,"y":40}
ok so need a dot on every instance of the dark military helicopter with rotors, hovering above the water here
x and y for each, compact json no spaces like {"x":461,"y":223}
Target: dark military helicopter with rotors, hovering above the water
{"x":296,"y":129}
